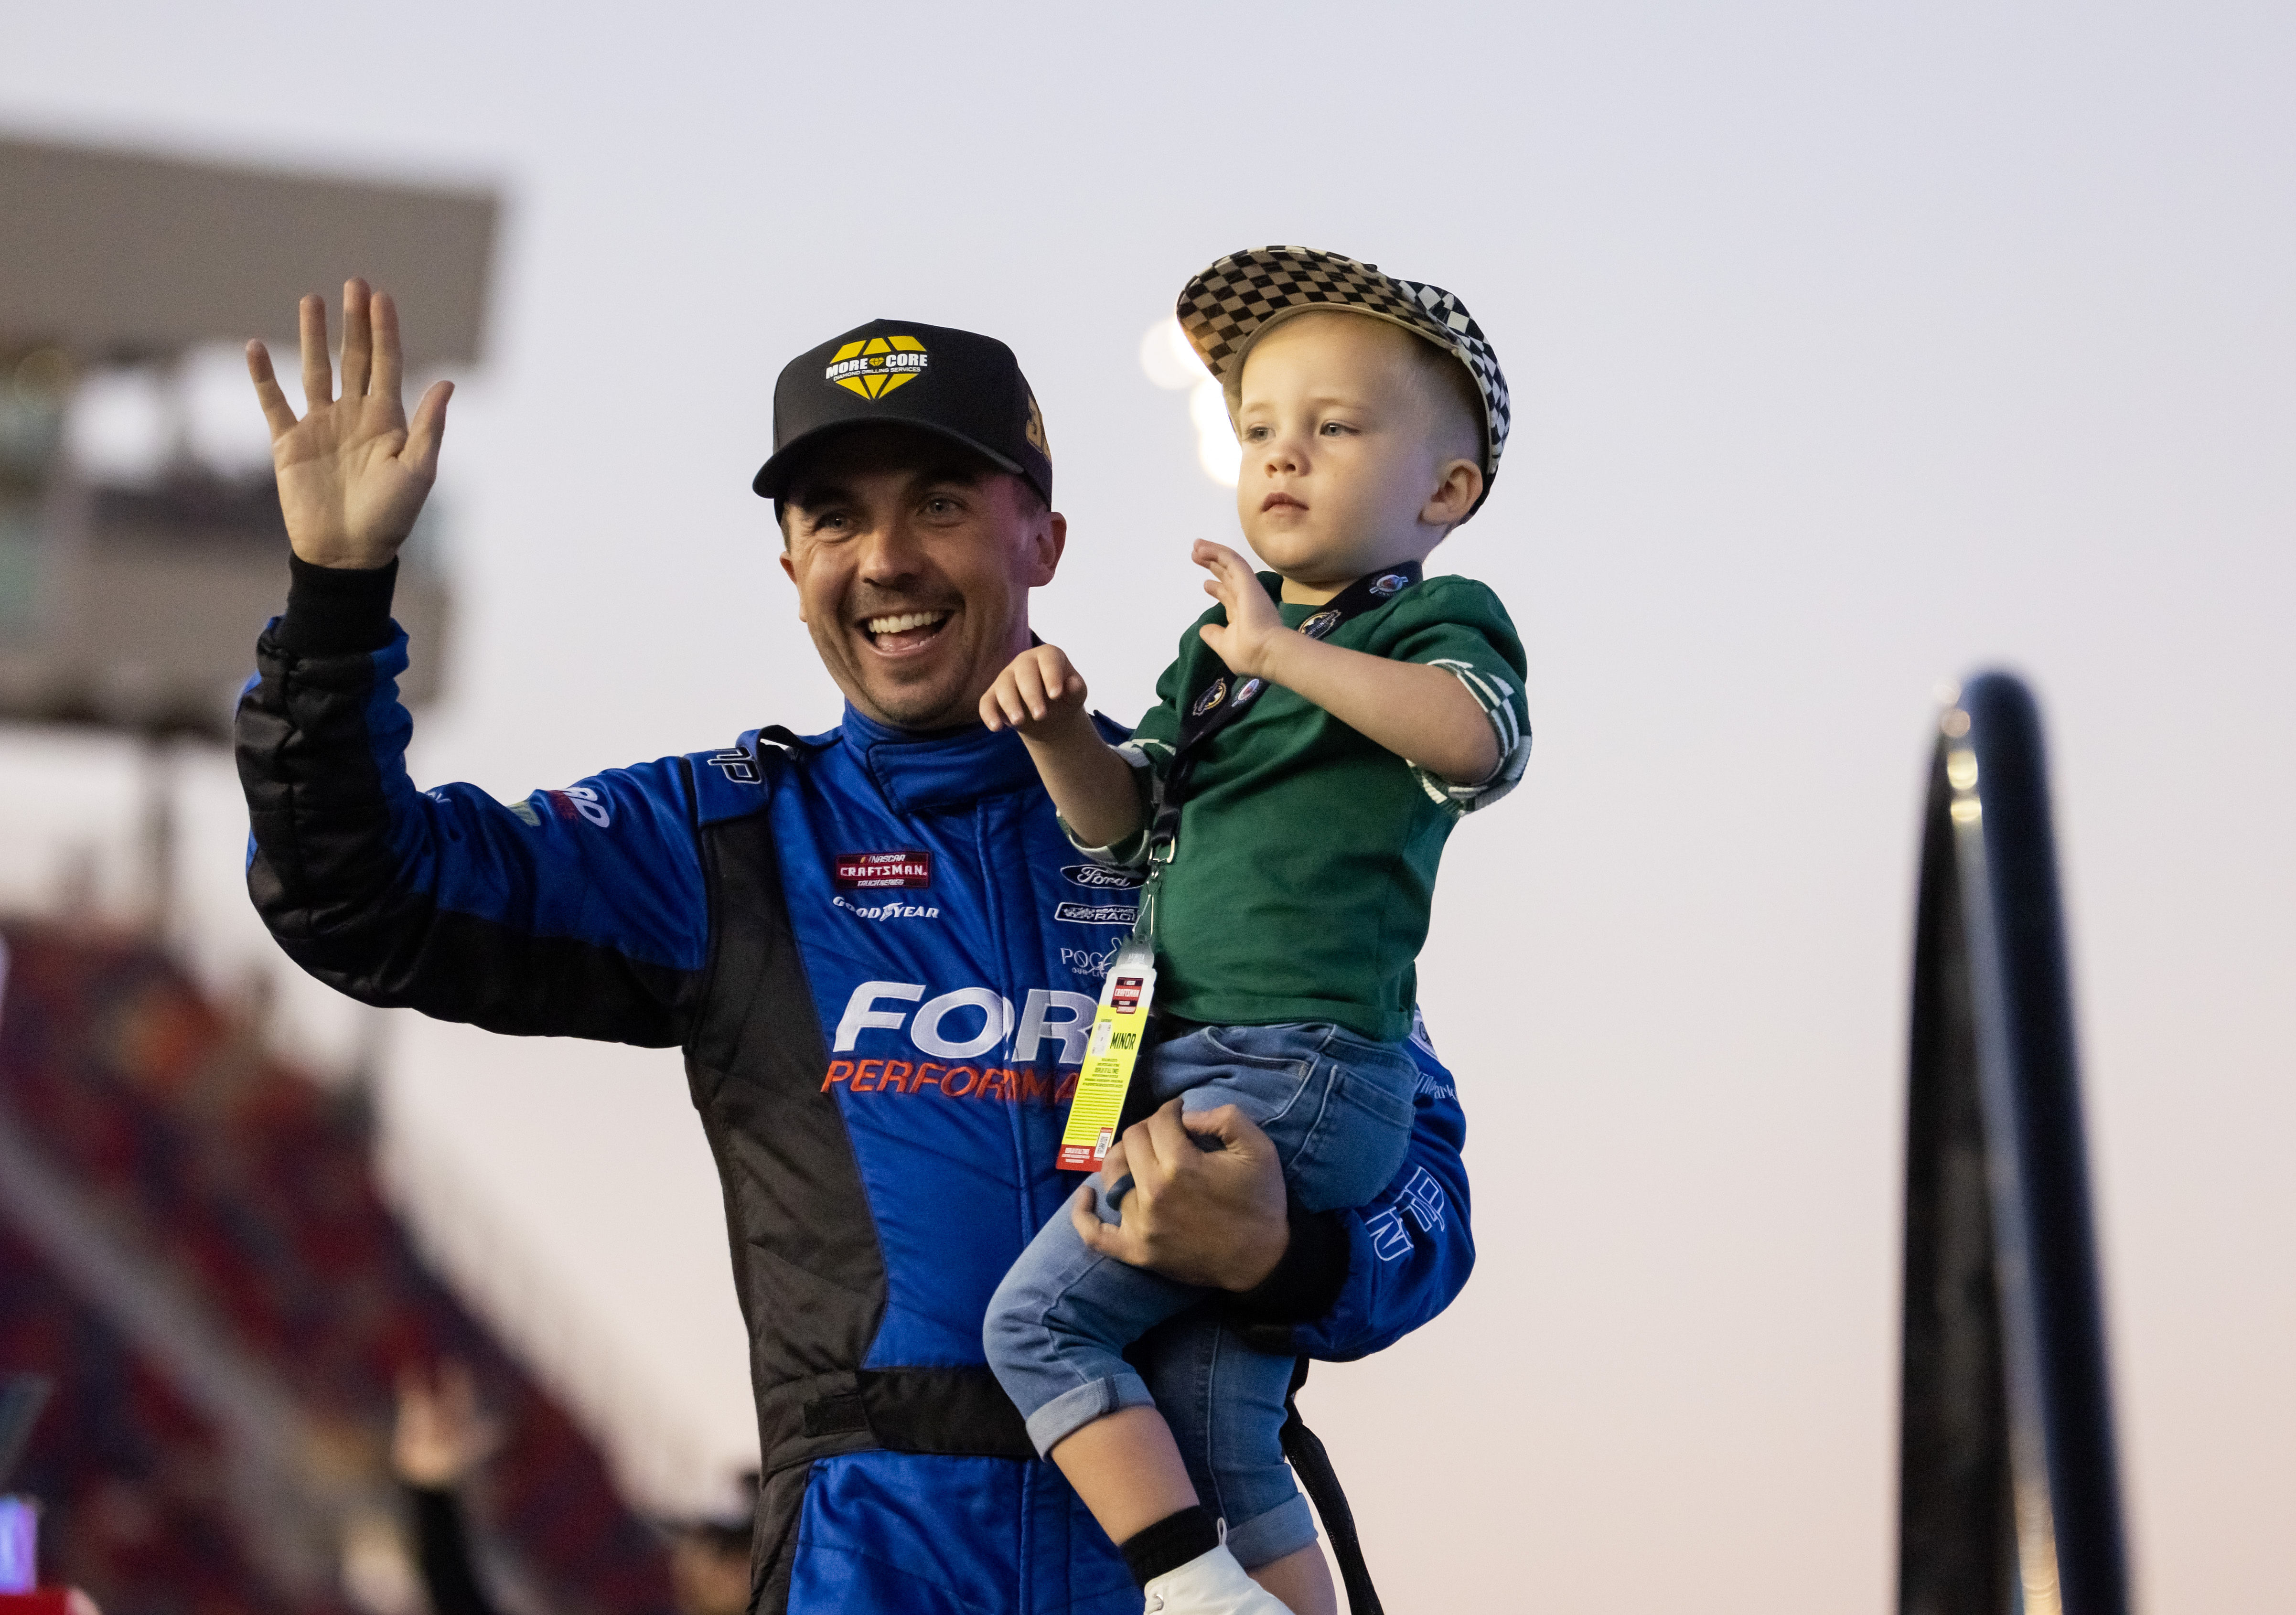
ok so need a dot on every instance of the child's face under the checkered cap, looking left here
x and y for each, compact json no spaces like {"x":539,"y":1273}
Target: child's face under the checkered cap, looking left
{"x":1344,"y":463}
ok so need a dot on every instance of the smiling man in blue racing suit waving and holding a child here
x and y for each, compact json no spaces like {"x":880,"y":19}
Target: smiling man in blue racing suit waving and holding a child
{"x":876,"y":950}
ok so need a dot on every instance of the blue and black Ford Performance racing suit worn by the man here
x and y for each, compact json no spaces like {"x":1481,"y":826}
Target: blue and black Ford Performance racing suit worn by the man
{"x":881,"y":959}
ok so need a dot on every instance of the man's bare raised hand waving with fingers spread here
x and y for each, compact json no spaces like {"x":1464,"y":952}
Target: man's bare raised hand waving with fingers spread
{"x":352,"y":470}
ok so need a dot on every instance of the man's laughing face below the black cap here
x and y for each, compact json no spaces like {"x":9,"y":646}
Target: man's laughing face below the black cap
{"x":913,"y":562}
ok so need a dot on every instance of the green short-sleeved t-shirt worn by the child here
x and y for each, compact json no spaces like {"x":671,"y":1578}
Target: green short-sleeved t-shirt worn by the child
{"x":1305,"y":863}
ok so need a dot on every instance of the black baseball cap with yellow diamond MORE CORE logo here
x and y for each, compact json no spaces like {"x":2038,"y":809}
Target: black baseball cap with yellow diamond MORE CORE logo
{"x":947,"y":382}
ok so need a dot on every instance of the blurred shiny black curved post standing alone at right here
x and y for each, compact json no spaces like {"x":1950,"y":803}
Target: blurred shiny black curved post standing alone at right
{"x":2010,"y":1492}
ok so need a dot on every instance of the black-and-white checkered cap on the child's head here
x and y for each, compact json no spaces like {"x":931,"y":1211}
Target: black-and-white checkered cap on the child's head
{"x":1234,"y":302}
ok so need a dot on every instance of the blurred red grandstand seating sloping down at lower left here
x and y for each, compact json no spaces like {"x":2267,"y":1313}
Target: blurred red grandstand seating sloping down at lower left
{"x":194,"y":1249}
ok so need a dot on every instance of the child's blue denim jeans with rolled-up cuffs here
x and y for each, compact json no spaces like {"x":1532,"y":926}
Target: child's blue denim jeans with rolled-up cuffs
{"x":1340,"y":1113}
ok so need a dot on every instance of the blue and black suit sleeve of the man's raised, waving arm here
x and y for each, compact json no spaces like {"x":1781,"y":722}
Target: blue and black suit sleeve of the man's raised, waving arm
{"x":575,"y":913}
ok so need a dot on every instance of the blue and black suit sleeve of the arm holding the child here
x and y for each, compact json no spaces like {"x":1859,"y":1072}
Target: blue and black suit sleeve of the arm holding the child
{"x":1360,"y":1281}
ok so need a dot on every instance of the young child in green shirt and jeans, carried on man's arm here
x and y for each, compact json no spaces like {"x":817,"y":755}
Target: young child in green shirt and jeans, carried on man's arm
{"x":1310,"y":752}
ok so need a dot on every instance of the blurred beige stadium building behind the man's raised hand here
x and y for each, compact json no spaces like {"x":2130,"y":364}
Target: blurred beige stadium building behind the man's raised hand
{"x":134,"y":580}
